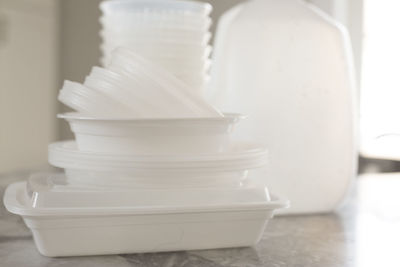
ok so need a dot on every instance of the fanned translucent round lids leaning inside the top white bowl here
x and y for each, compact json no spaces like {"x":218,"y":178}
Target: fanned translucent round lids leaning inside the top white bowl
{"x":132,"y":86}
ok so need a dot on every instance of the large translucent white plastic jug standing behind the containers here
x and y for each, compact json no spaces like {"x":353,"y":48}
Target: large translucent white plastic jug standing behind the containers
{"x":288,"y":66}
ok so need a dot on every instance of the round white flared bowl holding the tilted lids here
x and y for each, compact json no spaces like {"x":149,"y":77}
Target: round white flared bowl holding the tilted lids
{"x":152,"y":136}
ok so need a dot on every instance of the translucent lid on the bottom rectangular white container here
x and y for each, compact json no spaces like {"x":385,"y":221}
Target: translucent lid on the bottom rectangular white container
{"x":49,"y":191}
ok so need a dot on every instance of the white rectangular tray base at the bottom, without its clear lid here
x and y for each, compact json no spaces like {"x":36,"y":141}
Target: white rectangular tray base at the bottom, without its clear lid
{"x":112,"y":229}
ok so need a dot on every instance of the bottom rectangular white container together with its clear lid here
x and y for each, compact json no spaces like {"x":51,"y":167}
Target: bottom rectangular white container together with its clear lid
{"x":79,"y":221}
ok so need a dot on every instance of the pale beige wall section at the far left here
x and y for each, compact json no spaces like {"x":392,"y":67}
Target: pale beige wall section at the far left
{"x":28,"y":77}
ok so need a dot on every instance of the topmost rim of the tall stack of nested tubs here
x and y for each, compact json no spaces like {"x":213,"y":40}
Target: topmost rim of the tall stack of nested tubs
{"x":171,"y":6}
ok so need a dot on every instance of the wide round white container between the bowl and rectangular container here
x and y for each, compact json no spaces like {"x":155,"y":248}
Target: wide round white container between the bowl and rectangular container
{"x":213,"y":170}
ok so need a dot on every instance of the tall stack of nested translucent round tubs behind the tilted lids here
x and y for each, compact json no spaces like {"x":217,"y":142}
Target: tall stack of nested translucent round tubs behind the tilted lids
{"x":174,"y":34}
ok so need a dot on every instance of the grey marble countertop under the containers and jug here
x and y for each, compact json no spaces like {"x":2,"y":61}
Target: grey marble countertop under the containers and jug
{"x":364,"y":232}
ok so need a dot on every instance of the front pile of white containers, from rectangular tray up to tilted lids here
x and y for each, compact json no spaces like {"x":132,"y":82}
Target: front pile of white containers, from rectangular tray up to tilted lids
{"x":153,"y":168}
